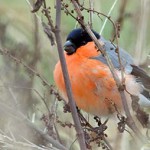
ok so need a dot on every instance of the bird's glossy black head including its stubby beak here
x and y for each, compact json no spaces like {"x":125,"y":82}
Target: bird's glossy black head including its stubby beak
{"x":76,"y":38}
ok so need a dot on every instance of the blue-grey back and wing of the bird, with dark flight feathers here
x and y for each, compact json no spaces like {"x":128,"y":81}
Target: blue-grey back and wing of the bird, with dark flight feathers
{"x":127,"y":62}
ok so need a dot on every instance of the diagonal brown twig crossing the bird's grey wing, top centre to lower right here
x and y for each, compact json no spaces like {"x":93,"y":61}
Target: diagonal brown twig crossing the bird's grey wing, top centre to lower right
{"x":130,"y":121}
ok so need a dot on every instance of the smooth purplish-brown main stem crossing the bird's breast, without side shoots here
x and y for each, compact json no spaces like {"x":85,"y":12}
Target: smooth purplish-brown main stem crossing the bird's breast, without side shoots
{"x":74,"y":113}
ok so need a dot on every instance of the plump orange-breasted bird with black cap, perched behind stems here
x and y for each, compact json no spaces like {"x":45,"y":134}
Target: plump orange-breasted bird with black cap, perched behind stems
{"x":93,"y":86}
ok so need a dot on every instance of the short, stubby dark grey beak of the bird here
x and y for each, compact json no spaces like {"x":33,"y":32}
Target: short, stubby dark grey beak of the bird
{"x":69,"y":47}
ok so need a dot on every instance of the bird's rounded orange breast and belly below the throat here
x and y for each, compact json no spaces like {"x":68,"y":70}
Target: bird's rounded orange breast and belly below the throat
{"x":93,"y":87}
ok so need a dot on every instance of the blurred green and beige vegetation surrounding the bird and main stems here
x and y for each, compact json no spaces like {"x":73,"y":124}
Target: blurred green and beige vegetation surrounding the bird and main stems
{"x":32,"y":113}
